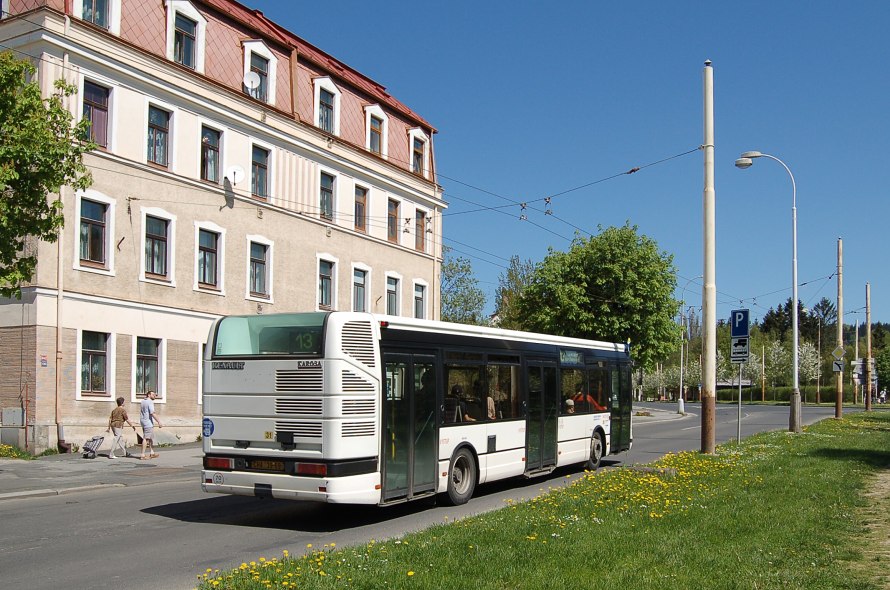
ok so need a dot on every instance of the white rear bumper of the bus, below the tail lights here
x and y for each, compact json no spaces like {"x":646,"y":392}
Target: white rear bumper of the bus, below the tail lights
{"x":353,"y":489}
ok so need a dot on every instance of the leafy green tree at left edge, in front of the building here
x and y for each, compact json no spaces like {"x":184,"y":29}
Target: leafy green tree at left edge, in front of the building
{"x":40,"y":151}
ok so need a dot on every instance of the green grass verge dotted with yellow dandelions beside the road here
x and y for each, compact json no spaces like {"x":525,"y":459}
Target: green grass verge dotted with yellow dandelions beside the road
{"x":778,"y":511}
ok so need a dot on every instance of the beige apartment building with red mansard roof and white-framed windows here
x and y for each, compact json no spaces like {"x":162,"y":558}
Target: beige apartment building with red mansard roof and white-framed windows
{"x":241,"y":170}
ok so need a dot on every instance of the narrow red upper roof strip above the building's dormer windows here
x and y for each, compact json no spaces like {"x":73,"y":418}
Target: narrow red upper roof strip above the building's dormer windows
{"x":256,"y":20}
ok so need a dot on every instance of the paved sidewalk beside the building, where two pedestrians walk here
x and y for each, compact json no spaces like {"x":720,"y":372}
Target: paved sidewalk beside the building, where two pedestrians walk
{"x":64,"y":474}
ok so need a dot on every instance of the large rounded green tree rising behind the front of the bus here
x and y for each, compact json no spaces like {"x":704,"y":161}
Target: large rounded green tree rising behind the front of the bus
{"x":616,"y":286}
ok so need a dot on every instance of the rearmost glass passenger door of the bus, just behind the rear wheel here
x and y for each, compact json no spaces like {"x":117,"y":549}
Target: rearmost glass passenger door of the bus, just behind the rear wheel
{"x":409,"y":425}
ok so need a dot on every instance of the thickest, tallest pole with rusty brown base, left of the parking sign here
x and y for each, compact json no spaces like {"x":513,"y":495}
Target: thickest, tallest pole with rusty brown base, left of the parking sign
{"x":709,"y":286}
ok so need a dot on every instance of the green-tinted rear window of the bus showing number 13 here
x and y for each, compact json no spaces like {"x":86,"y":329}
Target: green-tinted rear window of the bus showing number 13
{"x":280,"y":334}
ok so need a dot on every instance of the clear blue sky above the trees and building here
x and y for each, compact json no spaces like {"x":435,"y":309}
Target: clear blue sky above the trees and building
{"x":532,"y":99}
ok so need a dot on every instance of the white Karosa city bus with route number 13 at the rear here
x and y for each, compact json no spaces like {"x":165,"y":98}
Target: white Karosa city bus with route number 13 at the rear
{"x":367,"y":409}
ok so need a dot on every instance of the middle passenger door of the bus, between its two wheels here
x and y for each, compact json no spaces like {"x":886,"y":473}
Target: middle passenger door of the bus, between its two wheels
{"x":541,"y":416}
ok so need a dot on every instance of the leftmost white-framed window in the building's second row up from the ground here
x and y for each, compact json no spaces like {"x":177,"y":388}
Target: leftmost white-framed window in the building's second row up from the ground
{"x":94,"y":223}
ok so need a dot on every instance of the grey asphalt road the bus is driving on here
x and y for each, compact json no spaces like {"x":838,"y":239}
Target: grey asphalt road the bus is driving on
{"x":164,"y":534}
